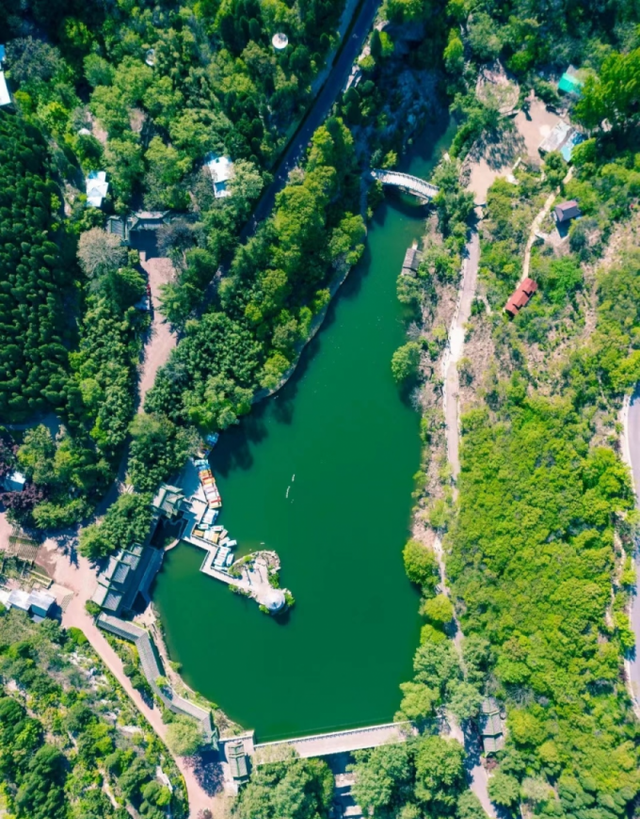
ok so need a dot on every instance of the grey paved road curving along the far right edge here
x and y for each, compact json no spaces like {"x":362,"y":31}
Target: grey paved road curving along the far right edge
{"x":631,"y":453}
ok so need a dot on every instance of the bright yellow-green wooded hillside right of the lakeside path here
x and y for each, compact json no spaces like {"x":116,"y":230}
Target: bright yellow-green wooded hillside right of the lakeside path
{"x":540,"y":551}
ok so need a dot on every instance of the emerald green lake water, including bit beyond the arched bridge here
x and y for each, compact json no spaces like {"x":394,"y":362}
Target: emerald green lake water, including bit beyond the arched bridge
{"x":341,"y":428}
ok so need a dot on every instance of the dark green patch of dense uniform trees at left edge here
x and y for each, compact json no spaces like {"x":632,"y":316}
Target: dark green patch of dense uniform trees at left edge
{"x":34,"y":285}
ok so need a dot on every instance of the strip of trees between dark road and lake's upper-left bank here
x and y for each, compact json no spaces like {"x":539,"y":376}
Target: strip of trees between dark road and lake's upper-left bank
{"x":277,"y":282}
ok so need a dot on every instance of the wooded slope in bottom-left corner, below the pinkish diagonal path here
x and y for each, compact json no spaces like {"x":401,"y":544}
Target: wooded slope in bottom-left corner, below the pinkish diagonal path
{"x":65,"y":754}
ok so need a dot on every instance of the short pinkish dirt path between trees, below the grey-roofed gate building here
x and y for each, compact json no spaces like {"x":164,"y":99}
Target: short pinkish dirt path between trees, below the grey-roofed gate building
{"x":162,"y":339}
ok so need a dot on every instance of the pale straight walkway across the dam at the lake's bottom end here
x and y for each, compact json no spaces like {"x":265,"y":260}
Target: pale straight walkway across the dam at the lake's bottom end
{"x":339,"y":742}
